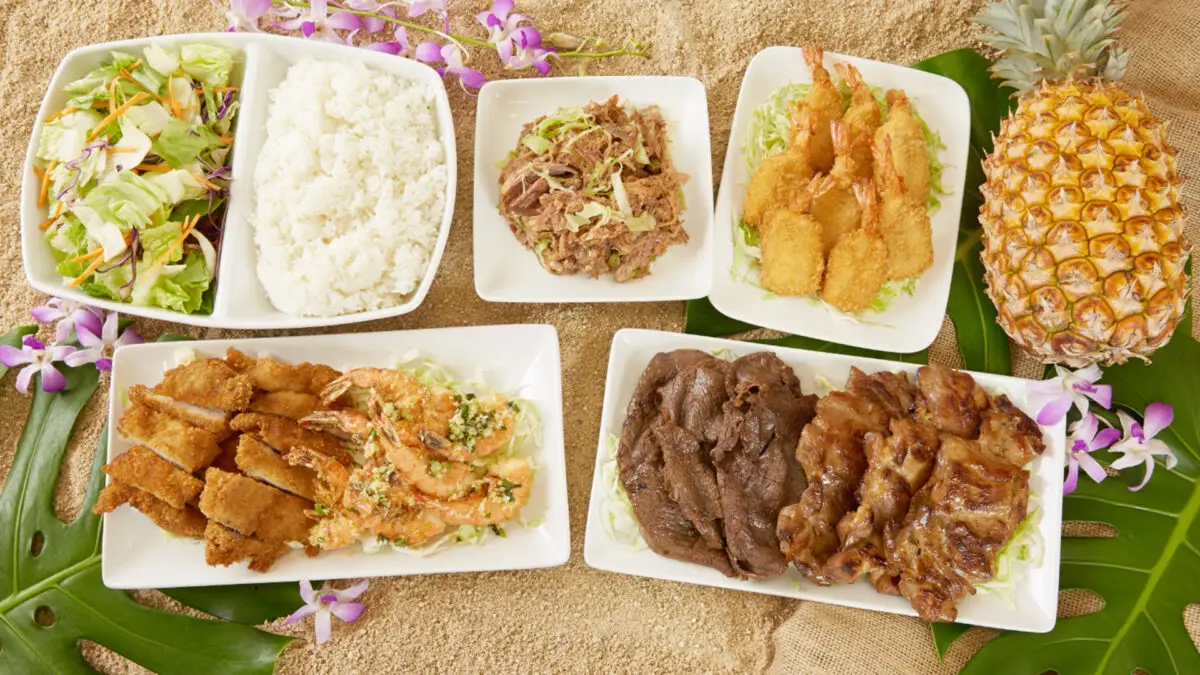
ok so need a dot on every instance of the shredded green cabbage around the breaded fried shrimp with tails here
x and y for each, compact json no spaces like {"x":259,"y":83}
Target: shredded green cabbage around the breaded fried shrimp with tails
{"x":770,"y":126}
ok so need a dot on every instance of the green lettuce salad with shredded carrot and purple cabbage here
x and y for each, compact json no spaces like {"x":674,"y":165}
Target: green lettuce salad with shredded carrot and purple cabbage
{"x":135,"y":174}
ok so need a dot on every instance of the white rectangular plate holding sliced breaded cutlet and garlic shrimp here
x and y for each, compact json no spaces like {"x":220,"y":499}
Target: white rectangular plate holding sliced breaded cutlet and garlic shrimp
{"x":520,"y":361}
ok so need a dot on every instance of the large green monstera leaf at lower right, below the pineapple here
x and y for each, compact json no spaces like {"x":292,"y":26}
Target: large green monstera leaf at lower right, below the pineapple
{"x":1148,"y":574}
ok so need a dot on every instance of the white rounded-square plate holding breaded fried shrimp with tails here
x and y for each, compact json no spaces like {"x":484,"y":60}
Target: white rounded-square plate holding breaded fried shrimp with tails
{"x":913,"y":322}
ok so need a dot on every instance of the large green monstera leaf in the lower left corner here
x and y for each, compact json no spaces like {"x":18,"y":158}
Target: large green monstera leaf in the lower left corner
{"x":53,"y":594}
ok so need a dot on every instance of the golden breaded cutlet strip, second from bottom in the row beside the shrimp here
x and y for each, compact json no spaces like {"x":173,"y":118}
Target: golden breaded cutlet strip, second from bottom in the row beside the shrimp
{"x":255,"y":510}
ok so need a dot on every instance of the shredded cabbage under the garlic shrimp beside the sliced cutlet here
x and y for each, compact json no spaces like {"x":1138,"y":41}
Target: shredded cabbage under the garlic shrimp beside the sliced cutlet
{"x":526,"y":440}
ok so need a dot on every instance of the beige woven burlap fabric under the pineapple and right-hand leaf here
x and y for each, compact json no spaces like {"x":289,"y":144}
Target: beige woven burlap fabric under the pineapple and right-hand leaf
{"x":1165,"y":40}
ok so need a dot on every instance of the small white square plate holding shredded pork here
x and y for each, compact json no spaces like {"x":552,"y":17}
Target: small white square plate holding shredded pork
{"x":507,"y":273}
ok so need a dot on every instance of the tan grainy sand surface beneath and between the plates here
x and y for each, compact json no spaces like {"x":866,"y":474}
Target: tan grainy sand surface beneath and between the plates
{"x":569,"y":619}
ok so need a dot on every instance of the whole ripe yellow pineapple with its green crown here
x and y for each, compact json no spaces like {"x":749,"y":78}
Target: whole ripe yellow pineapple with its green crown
{"x":1083,"y":229}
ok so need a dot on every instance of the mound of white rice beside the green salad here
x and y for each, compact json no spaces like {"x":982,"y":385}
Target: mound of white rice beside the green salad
{"x":350,"y":189}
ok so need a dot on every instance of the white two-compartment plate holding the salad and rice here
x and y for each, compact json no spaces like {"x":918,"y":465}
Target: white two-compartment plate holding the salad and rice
{"x":241,"y":301}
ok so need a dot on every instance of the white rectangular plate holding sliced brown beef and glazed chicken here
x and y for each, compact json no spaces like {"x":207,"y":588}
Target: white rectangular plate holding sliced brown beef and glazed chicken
{"x":1036,"y":595}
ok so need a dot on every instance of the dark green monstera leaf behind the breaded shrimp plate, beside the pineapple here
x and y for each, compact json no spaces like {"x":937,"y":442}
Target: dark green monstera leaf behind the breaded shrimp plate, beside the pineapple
{"x":982,"y":343}
